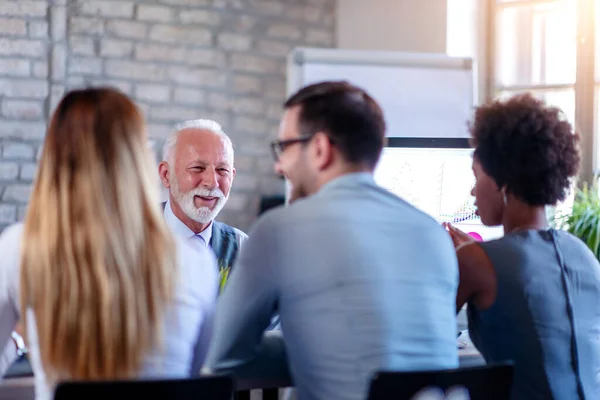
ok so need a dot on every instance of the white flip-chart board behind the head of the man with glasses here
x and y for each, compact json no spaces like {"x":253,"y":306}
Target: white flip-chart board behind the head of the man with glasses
{"x":422,"y":95}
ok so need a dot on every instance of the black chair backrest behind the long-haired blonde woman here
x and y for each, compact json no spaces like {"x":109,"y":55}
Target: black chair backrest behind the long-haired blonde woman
{"x":204,"y":388}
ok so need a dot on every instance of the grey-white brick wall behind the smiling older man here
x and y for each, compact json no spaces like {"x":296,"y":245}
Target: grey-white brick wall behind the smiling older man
{"x":178,"y":59}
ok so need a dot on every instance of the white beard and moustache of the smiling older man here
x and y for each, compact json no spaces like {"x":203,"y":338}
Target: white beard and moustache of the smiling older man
{"x":202,"y":214}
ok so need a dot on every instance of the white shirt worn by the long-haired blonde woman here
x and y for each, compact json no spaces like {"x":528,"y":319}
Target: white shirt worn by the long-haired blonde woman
{"x":187,"y":322}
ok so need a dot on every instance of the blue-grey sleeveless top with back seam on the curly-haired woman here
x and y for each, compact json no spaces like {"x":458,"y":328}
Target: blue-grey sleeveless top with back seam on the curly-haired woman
{"x":546,"y":316}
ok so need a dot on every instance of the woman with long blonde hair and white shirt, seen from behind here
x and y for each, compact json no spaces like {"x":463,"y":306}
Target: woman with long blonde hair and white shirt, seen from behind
{"x":104,"y":290}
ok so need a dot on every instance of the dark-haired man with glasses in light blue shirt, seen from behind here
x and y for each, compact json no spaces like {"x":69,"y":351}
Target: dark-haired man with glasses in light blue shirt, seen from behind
{"x":362,"y":280}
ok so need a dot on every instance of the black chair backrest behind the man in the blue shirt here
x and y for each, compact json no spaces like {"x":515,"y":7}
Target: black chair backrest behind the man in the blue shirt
{"x":491,"y":382}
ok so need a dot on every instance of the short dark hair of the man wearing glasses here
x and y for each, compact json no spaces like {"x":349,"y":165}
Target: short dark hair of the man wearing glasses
{"x":347,"y":114}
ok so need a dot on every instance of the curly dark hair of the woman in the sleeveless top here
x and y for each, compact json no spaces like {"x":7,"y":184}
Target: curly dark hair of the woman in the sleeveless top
{"x":527,"y":146}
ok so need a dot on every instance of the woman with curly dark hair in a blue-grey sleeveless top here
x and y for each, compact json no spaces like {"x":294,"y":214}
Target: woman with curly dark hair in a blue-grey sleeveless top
{"x":533,"y":295}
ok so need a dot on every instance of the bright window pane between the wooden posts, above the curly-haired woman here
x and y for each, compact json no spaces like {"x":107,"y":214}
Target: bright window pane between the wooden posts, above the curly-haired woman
{"x":536,"y":50}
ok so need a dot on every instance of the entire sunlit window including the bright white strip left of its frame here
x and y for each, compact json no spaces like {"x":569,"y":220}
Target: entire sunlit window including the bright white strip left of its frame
{"x":546,"y":47}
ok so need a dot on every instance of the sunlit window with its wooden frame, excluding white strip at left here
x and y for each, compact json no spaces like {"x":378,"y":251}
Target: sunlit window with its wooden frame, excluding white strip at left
{"x":546,"y":47}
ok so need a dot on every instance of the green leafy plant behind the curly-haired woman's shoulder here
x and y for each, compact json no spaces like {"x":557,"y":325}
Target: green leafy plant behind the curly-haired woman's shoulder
{"x":583,"y":219}
